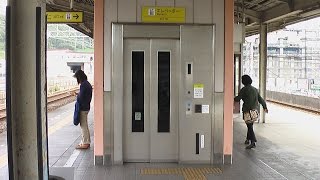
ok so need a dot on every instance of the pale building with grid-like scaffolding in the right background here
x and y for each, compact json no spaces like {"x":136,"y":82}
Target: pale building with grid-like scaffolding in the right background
{"x":293,"y":61}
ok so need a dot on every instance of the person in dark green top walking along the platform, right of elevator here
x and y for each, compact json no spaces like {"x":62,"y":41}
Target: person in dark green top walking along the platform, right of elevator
{"x":251,"y":99}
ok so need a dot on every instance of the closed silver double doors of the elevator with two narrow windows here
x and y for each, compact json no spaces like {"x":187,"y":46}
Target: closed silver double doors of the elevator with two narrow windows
{"x":151,"y":100}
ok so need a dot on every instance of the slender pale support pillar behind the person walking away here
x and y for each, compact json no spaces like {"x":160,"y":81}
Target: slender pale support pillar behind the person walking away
{"x":263,"y":66}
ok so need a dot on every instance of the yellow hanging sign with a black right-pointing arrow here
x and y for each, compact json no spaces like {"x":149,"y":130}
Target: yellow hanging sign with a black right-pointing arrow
{"x":64,"y":17}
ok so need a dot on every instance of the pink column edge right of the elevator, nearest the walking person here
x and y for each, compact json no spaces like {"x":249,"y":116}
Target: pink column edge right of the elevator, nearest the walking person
{"x":228,"y":82}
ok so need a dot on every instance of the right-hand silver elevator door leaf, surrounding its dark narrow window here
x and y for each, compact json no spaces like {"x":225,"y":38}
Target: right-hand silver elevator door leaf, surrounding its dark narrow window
{"x":164,"y":145}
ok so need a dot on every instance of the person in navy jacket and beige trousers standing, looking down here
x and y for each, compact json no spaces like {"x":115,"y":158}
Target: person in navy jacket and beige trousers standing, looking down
{"x":84,"y":99}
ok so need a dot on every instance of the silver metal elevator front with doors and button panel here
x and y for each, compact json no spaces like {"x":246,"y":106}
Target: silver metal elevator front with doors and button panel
{"x":162,"y":99}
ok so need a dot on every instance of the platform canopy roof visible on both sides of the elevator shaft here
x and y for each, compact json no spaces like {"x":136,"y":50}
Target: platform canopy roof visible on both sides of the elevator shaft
{"x":276,"y":13}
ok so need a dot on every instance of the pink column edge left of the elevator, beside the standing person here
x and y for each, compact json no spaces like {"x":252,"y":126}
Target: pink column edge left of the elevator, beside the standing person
{"x":98,"y":77}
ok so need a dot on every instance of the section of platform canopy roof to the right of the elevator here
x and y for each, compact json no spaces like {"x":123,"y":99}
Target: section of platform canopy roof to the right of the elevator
{"x":275,"y":13}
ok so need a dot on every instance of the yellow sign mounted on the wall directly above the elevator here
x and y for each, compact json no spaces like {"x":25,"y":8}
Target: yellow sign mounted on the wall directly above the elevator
{"x":163,"y":15}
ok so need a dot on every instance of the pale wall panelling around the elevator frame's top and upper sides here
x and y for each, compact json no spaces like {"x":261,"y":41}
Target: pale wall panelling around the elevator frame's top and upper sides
{"x":197,"y":12}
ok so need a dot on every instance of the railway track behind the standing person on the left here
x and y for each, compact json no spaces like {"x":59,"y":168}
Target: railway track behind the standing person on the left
{"x":53,"y":100}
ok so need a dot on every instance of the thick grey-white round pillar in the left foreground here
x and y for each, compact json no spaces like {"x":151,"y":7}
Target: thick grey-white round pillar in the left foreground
{"x":26,"y":90}
